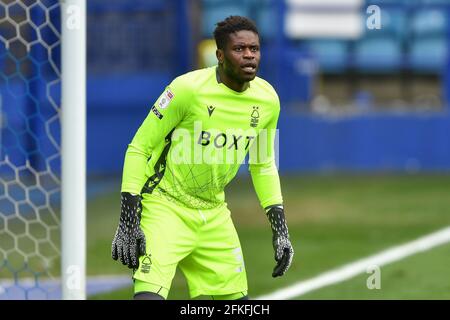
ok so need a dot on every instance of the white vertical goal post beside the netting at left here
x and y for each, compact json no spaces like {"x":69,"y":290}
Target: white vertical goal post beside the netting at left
{"x":73,"y":148}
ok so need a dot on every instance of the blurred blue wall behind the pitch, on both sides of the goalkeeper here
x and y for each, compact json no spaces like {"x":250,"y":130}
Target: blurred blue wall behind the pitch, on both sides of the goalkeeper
{"x":370,"y":142}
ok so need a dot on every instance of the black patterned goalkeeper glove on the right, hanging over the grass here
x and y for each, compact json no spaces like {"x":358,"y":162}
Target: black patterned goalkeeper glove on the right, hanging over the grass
{"x":281,"y":244}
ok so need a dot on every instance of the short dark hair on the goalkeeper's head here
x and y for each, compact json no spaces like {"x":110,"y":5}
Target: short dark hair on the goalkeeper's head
{"x":230,"y":25}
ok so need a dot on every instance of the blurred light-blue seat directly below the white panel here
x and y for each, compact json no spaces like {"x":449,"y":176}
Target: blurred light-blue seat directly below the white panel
{"x":332,"y":55}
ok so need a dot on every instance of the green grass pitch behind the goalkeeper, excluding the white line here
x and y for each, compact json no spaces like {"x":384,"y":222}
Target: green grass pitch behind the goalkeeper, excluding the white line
{"x":333,"y":220}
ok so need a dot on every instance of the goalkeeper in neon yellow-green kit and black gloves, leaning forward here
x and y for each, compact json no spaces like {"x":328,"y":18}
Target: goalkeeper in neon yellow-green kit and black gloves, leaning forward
{"x":190,"y":146}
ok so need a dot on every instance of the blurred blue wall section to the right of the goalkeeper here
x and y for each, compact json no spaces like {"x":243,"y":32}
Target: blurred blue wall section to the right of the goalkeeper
{"x":403,"y":142}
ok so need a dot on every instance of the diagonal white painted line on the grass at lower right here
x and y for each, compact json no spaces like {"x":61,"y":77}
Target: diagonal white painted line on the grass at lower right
{"x":350,"y":270}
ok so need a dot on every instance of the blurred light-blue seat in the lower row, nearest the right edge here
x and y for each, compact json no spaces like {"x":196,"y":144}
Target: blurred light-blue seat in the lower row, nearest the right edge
{"x":429,"y":54}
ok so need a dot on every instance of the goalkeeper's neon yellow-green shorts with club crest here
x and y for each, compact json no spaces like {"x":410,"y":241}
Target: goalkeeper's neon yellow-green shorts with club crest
{"x":203,"y":243}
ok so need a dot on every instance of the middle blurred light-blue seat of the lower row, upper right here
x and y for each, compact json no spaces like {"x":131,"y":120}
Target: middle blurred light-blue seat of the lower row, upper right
{"x":378,"y":55}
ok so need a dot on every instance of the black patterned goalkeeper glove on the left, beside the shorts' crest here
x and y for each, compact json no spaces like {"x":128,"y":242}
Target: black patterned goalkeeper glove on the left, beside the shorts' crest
{"x":129,"y":241}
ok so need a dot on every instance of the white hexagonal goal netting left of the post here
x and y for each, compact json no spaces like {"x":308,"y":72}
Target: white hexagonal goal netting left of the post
{"x":30,"y":152}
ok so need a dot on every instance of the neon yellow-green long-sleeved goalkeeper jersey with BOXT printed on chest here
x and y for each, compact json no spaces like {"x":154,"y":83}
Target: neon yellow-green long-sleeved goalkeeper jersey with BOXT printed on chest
{"x":196,"y":136}
